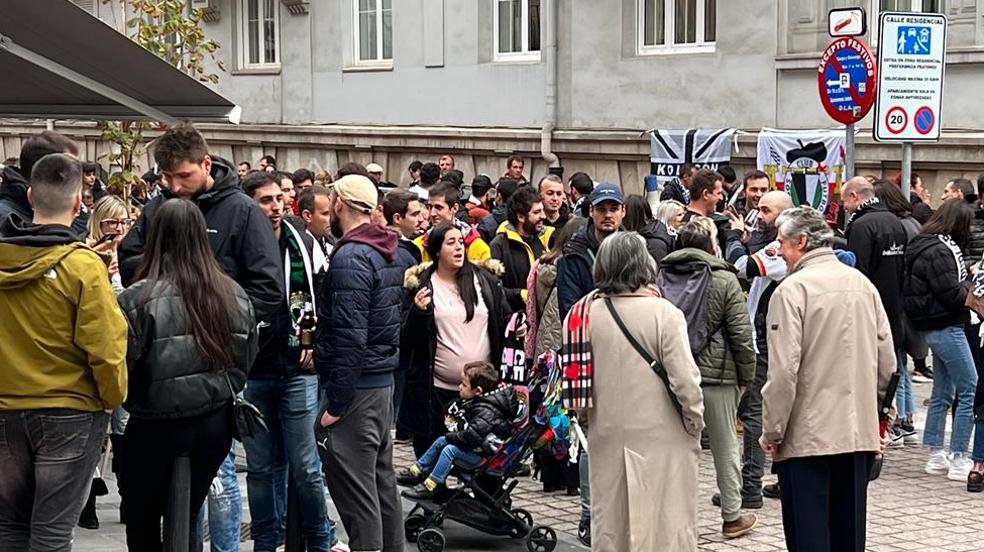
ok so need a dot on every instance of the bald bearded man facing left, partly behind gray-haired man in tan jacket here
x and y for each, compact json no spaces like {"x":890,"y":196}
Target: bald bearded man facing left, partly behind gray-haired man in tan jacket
{"x":757,"y":261}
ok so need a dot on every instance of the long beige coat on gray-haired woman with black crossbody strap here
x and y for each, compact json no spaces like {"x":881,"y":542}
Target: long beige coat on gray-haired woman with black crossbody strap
{"x":643,"y":457}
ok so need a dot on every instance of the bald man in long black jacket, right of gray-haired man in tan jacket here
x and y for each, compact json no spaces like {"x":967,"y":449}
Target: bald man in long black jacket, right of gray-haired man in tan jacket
{"x":878,"y":240}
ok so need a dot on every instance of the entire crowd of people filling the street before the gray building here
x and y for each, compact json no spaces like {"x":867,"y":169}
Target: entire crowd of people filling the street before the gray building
{"x":321,"y":319}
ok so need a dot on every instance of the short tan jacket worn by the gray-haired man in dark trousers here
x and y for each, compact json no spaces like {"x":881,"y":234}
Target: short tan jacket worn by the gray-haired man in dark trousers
{"x":830,"y":359}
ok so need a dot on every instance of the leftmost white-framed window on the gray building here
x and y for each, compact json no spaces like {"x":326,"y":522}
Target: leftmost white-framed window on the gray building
{"x":259,"y":34}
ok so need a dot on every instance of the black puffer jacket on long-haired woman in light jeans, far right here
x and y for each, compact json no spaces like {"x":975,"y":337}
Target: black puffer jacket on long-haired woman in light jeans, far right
{"x":936,"y":283}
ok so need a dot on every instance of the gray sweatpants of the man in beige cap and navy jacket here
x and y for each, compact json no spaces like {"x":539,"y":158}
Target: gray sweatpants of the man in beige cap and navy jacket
{"x":358,"y":463}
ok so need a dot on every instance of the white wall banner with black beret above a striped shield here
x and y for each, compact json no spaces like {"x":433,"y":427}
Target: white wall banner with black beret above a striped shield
{"x":809,"y":164}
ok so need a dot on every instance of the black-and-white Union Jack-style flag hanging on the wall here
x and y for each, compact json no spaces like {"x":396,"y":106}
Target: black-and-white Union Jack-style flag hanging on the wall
{"x":708,"y":148}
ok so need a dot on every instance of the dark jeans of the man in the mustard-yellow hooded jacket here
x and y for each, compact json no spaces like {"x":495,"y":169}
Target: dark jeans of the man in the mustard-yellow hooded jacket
{"x":47,"y":458}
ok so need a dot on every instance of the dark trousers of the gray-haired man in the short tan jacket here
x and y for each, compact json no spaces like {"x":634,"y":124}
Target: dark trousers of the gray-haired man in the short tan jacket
{"x":824,"y":501}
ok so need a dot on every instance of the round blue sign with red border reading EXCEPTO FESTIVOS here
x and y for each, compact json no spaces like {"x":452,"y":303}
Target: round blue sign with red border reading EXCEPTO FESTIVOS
{"x":847,"y":79}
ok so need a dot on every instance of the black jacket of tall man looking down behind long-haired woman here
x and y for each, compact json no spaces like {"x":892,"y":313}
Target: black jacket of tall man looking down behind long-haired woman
{"x":241,"y":237}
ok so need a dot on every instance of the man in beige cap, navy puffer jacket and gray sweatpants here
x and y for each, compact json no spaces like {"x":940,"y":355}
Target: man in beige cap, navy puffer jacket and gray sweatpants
{"x":356,"y":352}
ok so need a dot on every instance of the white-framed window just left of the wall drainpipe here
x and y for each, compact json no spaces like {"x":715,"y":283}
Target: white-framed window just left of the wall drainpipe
{"x":516,"y":30}
